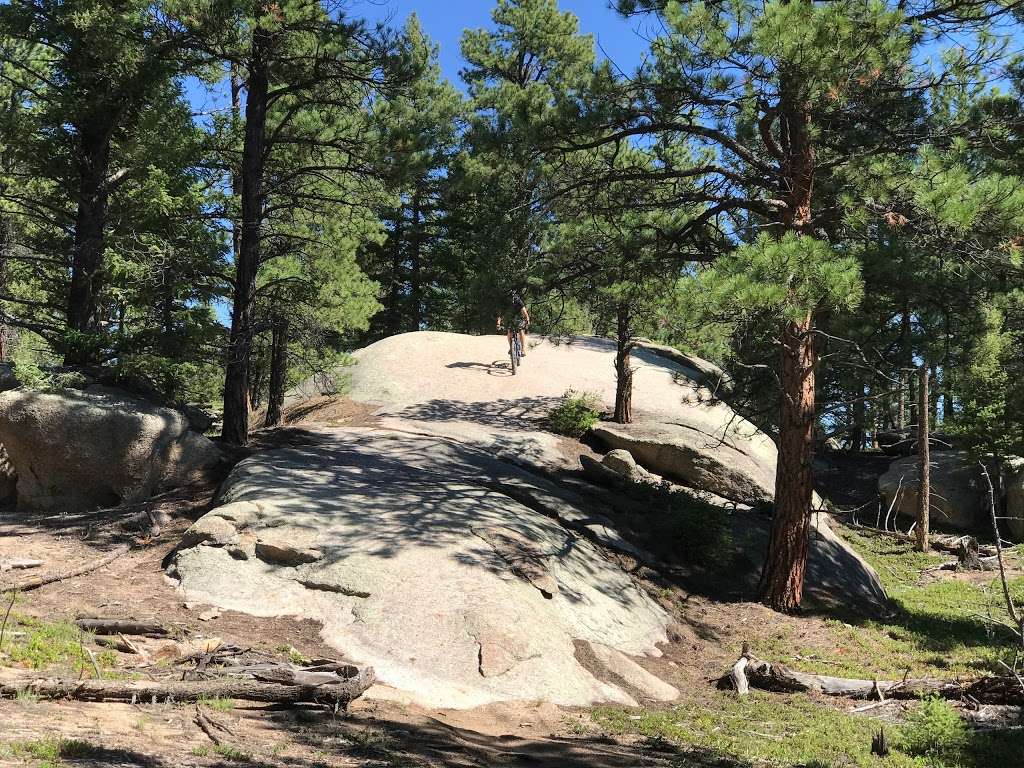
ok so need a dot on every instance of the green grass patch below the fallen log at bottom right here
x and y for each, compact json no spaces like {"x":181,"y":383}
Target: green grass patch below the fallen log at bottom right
{"x":783,"y":731}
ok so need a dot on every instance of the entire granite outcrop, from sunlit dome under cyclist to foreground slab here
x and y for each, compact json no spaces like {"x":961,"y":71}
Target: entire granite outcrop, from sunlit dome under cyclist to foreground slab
{"x":449,"y":547}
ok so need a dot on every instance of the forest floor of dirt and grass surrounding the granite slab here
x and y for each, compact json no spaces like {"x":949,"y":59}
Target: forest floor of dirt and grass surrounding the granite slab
{"x":943,"y":624}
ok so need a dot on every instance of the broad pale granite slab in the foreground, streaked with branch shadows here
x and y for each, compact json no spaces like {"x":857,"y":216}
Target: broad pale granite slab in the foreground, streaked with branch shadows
{"x":447,"y":571}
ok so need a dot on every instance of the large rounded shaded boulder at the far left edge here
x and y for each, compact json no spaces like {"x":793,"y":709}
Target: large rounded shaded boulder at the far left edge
{"x":75,"y":451}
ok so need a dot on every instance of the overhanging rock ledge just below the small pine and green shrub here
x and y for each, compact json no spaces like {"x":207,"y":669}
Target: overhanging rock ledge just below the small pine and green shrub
{"x":742,"y":471}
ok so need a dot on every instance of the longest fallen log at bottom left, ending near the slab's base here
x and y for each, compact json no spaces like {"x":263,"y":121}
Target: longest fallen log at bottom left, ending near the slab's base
{"x":337,"y":695}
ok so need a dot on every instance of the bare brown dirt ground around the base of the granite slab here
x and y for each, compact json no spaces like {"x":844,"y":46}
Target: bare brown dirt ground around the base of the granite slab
{"x":375,"y":732}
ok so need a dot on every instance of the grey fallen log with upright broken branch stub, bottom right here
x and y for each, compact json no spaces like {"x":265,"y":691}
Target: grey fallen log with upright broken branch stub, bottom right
{"x":777,"y":677}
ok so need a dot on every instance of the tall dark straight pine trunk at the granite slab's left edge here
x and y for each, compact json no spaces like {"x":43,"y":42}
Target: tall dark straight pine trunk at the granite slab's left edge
{"x":236,"y":430}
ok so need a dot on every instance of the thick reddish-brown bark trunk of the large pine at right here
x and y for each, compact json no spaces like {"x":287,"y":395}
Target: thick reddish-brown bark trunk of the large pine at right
{"x":783,"y":577}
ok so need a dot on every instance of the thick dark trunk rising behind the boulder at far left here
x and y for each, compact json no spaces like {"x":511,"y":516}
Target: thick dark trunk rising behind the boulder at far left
{"x":88,"y":259}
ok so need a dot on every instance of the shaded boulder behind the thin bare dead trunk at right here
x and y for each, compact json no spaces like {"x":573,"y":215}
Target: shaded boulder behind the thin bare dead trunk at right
{"x":959,"y":493}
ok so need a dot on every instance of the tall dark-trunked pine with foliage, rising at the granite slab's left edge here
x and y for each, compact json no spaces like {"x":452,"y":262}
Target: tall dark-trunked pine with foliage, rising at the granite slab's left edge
{"x":293,"y":60}
